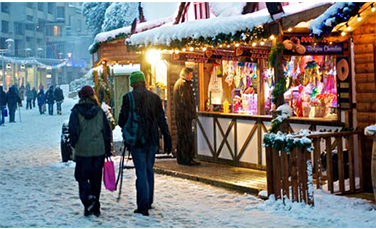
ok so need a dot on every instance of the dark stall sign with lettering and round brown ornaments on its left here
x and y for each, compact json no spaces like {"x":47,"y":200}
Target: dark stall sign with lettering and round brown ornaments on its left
{"x":305,"y":45}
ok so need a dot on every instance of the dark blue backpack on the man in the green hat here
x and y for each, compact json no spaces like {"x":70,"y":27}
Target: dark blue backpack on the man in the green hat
{"x":132,"y":130}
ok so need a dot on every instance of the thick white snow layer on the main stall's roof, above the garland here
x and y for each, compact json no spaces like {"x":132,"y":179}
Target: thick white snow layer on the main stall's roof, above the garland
{"x":213,"y":26}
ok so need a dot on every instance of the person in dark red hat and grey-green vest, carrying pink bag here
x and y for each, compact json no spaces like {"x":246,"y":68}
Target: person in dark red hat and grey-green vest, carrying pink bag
{"x":90,"y":136}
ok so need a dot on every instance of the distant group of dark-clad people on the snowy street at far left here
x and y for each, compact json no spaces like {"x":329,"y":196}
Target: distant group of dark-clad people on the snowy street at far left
{"x":14,"y":97}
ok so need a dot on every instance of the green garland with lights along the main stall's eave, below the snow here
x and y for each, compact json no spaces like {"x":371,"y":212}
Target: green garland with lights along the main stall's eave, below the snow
{"x":246,"y":36}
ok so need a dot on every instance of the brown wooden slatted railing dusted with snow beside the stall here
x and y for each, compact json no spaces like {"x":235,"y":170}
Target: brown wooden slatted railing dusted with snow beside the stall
{"x":290,"y":174}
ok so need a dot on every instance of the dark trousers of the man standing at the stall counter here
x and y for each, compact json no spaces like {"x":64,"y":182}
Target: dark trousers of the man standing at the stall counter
{"x":185,"y":141}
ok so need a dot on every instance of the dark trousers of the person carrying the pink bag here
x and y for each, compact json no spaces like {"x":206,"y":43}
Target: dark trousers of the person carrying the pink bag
{"x":88,"y":174}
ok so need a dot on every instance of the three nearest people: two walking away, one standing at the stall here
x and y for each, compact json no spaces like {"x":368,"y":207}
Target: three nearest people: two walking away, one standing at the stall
{"x":90,"y":135}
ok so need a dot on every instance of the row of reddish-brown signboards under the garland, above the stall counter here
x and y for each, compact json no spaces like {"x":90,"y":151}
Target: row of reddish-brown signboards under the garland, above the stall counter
{"x":215,"y":56}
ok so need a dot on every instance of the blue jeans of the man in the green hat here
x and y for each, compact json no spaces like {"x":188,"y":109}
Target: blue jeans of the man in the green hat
{"x":143,"y":160}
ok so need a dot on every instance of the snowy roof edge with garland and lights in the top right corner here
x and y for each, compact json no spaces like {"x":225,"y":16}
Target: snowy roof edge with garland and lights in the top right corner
{"x":338,"y":15}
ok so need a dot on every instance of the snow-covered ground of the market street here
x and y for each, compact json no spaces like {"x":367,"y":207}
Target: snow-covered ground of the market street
{"x":37,"y":190}
